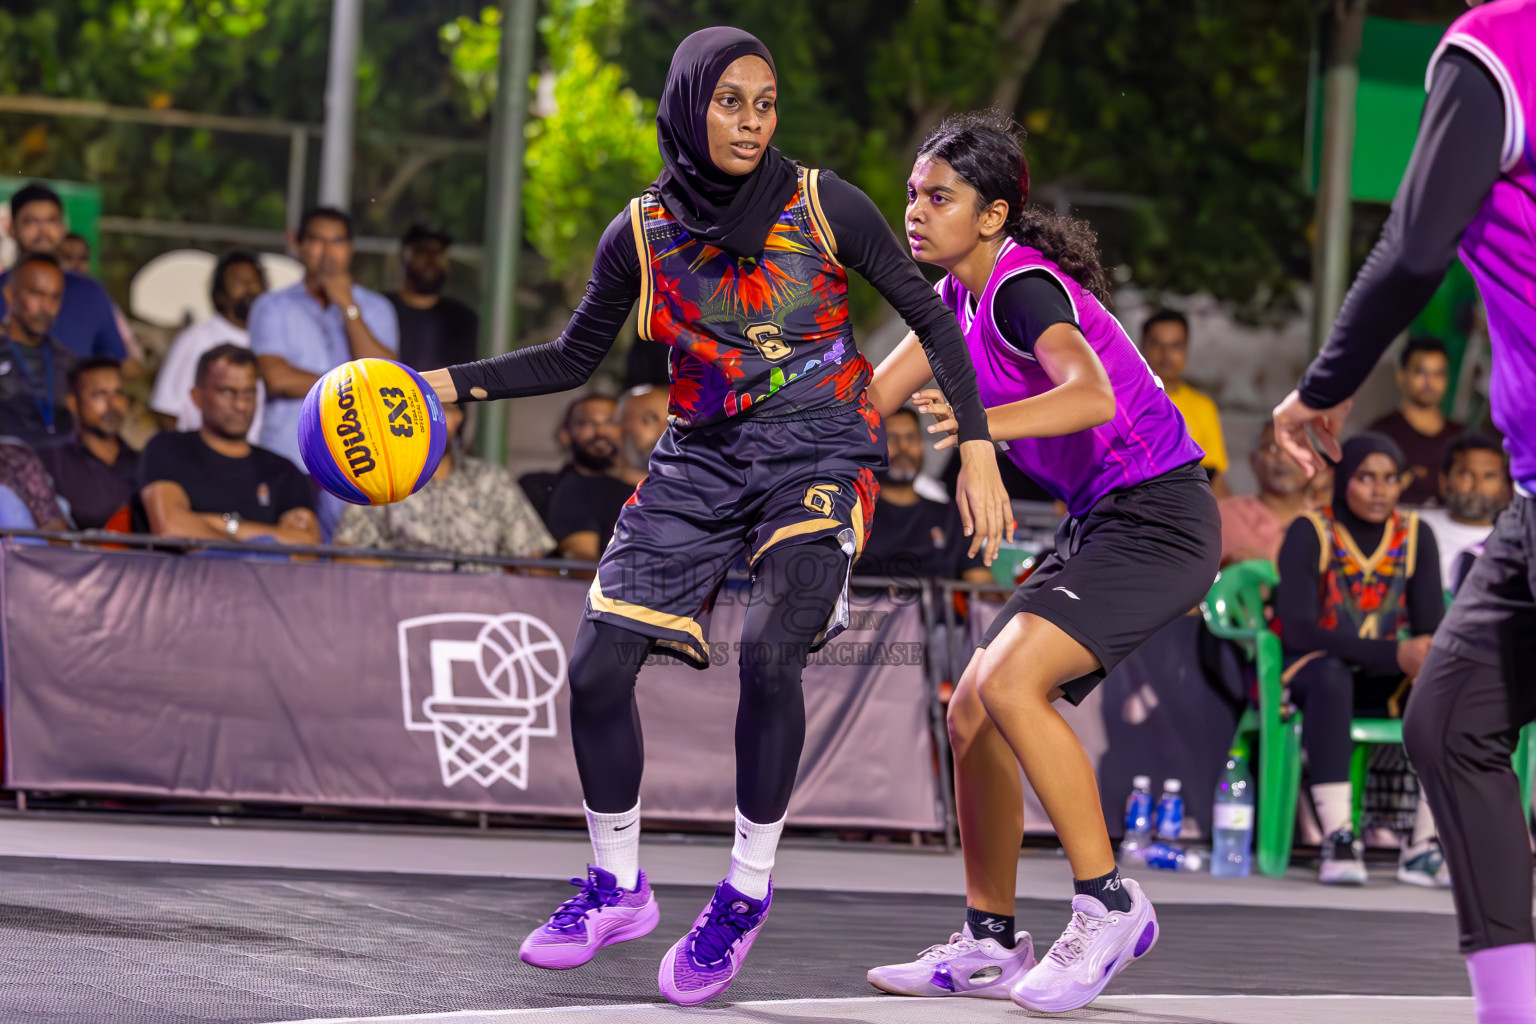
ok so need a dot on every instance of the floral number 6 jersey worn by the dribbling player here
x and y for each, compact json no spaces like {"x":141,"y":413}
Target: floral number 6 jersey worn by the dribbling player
{"x":767,"y":334}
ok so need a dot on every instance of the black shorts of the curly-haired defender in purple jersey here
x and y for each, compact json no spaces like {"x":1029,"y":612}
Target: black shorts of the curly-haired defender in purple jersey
{"x":1136,"y":563}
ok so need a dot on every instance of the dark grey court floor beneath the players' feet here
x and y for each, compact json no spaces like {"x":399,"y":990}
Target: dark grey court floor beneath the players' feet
{"x":150,"y":943}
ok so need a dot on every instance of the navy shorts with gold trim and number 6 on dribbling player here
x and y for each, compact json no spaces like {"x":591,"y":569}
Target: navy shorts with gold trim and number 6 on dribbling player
{"x":730,"y":491}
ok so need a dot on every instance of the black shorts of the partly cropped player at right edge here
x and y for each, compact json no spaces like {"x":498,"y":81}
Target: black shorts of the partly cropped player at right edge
{"x":1494,"y":618}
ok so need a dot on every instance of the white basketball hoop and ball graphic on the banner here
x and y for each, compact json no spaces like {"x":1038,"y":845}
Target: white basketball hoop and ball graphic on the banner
{"x":483,"y":685}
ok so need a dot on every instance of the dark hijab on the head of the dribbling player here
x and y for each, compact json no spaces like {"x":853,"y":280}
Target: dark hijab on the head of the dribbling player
{"x":732,"y":213}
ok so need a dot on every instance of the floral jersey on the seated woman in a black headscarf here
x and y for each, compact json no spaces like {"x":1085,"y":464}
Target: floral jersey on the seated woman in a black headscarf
{"x":1368,"y":595}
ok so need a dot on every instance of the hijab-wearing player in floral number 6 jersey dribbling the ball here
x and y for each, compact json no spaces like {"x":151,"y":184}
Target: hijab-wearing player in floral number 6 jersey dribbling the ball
{"x":740,"y":262}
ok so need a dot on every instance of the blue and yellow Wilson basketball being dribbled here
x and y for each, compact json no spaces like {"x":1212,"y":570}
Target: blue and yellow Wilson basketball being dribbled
{"x":372,"y":432}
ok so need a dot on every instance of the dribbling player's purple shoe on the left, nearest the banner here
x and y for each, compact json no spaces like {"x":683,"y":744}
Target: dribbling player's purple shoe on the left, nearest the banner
{"x":600,"y":916}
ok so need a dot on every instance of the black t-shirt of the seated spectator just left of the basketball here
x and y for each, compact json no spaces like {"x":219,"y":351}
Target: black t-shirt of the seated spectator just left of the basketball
{"x":260,"y":487}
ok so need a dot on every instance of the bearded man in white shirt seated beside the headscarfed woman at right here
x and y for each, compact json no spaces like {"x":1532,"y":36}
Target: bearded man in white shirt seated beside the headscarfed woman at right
{"x":1475,"y":487}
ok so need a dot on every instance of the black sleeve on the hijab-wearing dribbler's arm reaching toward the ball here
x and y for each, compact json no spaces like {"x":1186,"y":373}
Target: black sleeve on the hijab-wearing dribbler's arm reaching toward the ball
{"x":572,"y":358}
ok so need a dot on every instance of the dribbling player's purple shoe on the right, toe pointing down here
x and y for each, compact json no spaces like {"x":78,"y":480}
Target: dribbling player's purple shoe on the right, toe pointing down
{"x":703,"y":963}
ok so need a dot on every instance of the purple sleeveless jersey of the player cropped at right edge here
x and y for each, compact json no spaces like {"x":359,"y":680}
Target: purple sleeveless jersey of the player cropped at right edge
{"x":1500,"y":246}
